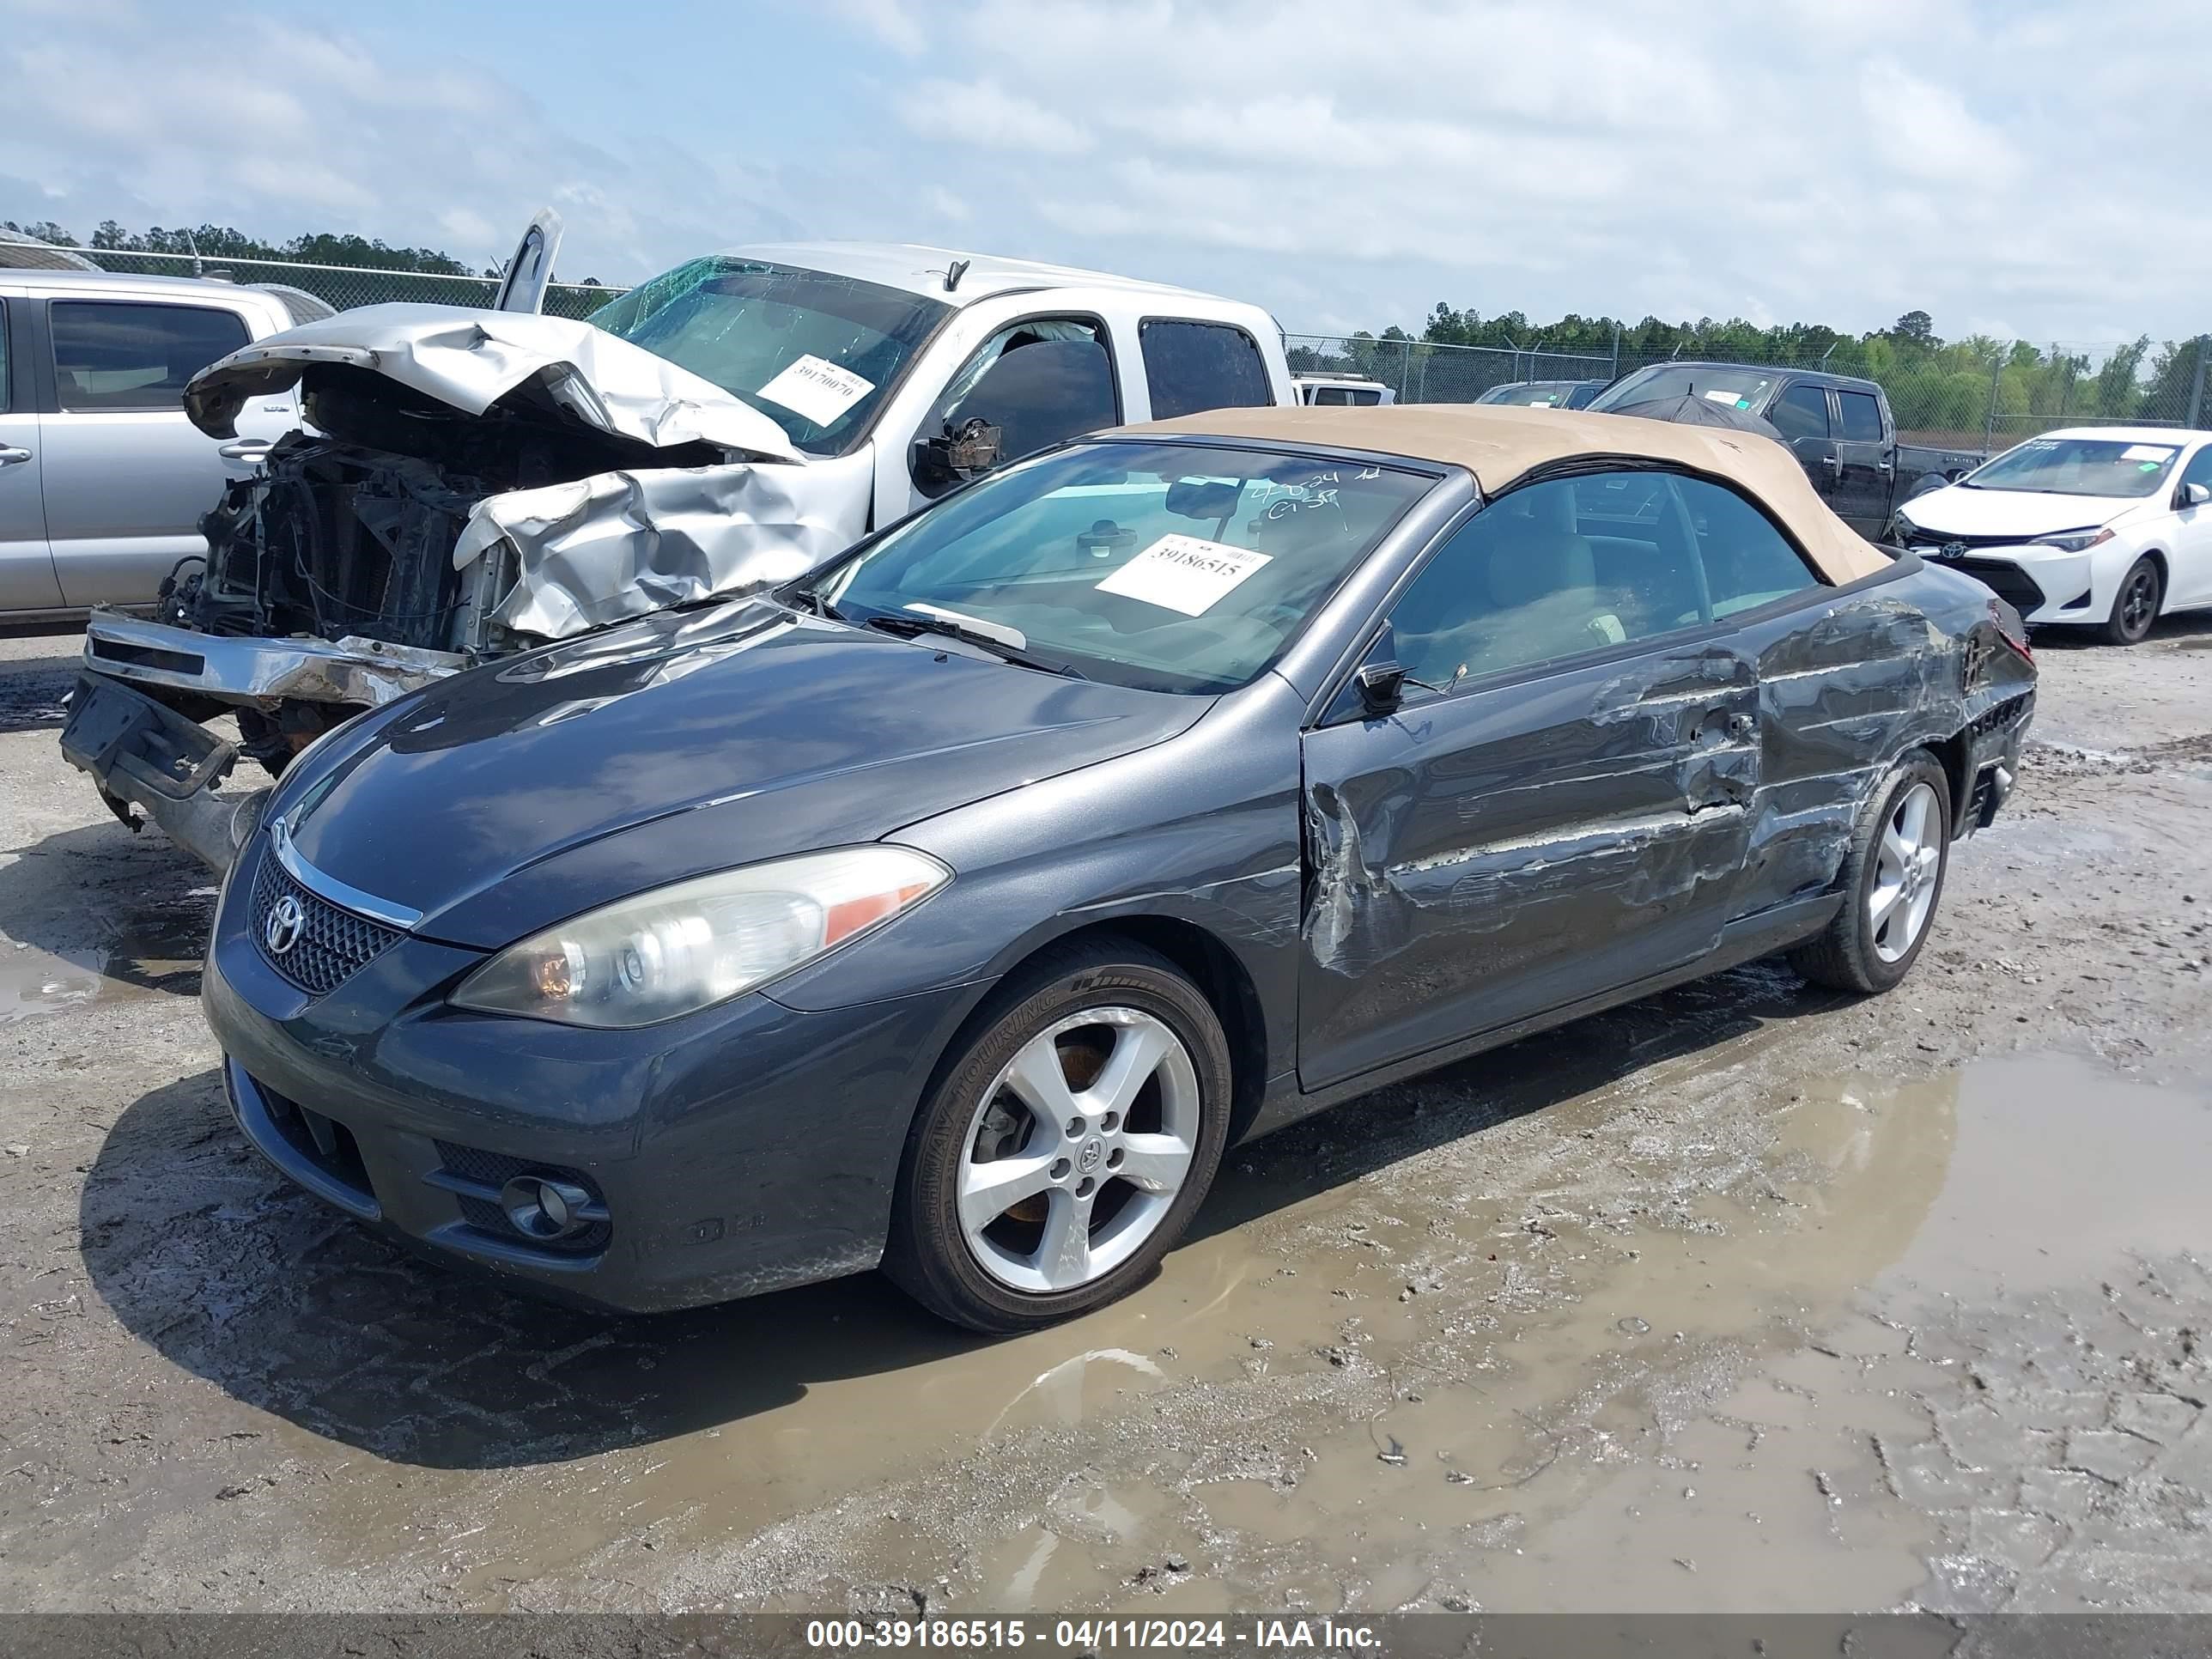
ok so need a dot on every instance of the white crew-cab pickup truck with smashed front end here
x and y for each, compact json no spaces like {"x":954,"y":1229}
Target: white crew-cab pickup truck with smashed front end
{"x":483,"y":481}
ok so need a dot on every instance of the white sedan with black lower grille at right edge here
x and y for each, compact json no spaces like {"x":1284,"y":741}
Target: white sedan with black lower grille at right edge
{"x":2103,"y":528}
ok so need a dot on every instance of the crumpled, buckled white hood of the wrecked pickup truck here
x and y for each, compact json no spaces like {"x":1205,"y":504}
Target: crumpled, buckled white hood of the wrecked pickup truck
{"x":470,"y":359}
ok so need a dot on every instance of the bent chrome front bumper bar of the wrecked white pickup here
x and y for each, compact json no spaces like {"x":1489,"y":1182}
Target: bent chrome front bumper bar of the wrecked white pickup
{"x":260,"y":671}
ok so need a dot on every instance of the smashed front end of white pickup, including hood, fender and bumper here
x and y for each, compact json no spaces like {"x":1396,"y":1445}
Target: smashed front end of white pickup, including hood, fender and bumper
{"x":470,"y":486}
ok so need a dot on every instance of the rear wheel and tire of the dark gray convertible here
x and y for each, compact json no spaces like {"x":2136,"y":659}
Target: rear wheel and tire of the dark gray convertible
{"x":1892,"y":879}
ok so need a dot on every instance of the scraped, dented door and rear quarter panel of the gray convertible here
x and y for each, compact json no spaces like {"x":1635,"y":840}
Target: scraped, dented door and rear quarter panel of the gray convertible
{"x":1483,"y":859}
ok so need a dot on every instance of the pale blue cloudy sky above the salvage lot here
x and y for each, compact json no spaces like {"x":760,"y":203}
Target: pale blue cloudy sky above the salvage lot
{"x":2012,"y":169}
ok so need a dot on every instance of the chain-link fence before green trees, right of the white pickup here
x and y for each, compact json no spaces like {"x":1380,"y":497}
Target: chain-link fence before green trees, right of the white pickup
{"x":1970,"y":395}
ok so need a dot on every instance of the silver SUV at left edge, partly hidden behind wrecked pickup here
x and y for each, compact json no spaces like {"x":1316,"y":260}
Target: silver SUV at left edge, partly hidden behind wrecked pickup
{"x":103,"y":479}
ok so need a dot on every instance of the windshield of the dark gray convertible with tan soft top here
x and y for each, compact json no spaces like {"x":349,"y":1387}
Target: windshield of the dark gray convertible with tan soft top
{"x":1165,"y":567}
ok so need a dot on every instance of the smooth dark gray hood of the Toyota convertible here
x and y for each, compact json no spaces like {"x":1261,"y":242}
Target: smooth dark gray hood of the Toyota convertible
{"x":519,"y":795}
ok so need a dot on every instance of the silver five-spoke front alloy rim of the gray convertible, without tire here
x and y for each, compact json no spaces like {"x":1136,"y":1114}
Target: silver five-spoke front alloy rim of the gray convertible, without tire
{"x":1078,"y":1149}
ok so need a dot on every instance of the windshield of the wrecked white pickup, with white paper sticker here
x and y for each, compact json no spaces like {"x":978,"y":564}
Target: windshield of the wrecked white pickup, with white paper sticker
{"x":813,"y":353}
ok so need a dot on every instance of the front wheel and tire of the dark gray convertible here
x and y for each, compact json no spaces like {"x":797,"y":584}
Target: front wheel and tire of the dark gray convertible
{"x":1065,"y":1149}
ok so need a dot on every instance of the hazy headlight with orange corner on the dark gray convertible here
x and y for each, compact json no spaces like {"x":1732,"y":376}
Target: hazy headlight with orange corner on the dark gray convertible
{"x":700,"y":941}
